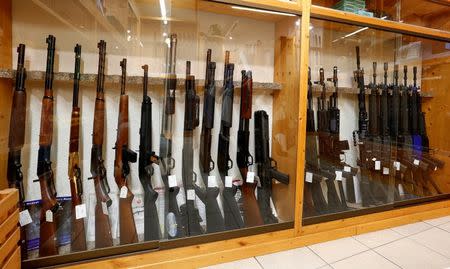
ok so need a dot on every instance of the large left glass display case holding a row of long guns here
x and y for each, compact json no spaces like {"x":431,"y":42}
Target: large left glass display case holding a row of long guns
{"x":178,"y":125}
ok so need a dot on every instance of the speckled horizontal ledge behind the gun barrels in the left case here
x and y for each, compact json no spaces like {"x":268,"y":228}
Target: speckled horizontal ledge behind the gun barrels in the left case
{"x":131,"y":80}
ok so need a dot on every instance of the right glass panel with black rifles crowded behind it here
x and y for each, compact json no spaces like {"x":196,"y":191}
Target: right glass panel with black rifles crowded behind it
{"x":374,"y":120}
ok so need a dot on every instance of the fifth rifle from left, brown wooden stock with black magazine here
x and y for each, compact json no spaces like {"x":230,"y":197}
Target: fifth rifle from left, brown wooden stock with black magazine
{"x":124,"y":156}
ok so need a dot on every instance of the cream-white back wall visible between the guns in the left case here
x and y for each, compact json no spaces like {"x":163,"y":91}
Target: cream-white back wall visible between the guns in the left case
{"x":252,"y":48}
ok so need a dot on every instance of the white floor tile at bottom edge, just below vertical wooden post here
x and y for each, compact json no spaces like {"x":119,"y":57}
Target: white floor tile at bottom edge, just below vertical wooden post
{"x":300,"y":258}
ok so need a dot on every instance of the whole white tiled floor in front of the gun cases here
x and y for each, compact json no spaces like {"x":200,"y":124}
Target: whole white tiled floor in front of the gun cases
{"x":421,"y":245}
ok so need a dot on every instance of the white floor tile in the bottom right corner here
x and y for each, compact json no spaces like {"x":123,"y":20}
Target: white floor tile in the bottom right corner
{"x":409,"y":254}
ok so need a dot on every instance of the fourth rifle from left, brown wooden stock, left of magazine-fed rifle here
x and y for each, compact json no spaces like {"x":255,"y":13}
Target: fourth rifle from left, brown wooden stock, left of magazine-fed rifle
{"x":103,"y":236}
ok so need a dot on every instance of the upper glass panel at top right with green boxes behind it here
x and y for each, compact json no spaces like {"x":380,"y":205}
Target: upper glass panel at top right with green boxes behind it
{"x":428,"y":13}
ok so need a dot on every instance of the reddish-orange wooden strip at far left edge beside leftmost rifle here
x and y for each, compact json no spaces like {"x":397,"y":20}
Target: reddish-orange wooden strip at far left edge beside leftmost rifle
{"x":5,"y":85}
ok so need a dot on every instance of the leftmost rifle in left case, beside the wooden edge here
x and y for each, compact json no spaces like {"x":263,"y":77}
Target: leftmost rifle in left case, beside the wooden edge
{"x":17,"y":138}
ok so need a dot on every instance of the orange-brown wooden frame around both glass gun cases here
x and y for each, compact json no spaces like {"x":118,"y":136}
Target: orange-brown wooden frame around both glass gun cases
{"x":268,"y":241}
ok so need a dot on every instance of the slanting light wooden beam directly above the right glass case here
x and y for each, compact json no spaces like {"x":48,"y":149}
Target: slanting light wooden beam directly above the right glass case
{"x":376,"y":23}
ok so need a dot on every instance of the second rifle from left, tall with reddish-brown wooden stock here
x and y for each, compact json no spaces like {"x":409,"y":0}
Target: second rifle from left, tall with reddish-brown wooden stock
{"x":49,"y":205}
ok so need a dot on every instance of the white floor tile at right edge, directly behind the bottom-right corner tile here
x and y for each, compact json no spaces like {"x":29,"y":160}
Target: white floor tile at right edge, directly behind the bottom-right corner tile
{"x":436,"y":239}
